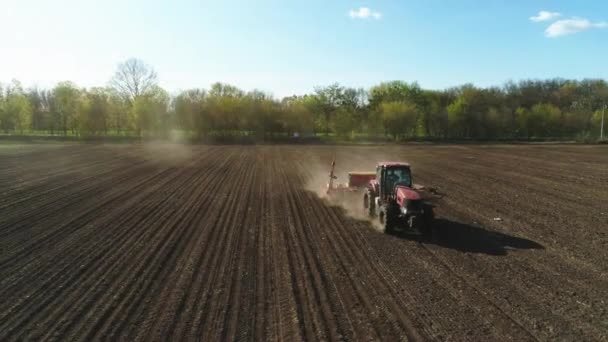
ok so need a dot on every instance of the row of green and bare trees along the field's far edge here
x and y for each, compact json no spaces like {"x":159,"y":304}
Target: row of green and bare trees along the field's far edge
{"x":134,"y":104}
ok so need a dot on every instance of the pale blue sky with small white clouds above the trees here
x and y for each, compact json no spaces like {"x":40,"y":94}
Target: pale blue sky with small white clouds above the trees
{"x":288,"y":47}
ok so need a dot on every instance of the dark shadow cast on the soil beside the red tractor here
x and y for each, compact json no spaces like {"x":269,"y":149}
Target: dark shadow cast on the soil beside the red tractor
{"x":474,"y":239}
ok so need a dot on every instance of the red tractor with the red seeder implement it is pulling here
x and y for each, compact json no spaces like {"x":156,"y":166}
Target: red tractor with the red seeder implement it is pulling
{"x":390,"y":195}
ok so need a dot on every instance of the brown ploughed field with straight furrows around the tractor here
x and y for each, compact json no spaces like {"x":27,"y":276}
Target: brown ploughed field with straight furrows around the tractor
{"x":147,"y":242}
